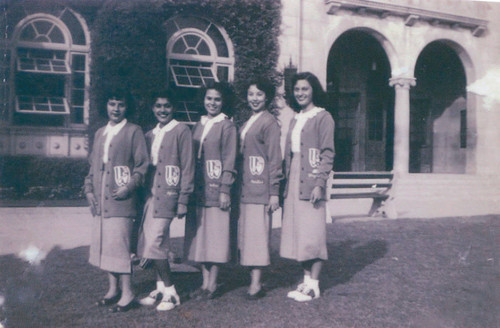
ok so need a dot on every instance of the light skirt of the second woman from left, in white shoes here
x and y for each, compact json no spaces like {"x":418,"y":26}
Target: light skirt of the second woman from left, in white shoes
{"x":154,"y":234}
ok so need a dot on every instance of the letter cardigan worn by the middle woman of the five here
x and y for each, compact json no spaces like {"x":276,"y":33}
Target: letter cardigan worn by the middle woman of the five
{"x":215,"y":170}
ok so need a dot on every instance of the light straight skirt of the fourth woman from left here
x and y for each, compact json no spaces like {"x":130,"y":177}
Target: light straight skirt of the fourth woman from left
{"x":253,"y":235}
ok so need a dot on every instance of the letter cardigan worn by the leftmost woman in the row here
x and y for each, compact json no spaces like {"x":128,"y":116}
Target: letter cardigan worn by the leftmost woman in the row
{"x":127,"y":165}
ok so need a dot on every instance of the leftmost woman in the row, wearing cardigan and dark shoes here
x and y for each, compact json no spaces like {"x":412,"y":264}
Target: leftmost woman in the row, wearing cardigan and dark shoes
{"x":118,"y":163}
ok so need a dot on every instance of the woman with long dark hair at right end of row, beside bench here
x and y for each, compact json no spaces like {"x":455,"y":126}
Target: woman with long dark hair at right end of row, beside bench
{"x":309,"y":153}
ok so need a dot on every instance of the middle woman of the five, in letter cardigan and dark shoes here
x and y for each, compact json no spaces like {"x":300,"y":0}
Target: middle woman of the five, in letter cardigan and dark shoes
{"x":207,"y":233}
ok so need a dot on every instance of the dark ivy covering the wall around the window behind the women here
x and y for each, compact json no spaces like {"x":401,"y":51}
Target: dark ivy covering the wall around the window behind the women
{"x":129,"y":47}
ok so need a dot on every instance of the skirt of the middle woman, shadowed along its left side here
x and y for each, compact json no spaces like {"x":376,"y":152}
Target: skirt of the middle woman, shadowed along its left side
{"x":207,"y":235}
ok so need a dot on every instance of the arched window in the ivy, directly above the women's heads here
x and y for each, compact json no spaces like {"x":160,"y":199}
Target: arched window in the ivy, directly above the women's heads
{"x":198,"y":52}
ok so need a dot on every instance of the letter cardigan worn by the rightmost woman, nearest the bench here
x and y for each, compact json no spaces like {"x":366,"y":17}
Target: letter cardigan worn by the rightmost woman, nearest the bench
{"x":317,"y":151}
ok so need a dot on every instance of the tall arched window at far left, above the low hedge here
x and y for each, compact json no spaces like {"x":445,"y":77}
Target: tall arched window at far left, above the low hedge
{"x":50,"y":70}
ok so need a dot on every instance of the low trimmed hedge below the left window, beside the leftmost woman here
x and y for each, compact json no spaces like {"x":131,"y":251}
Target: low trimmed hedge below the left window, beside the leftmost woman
{"x":41,"y":178}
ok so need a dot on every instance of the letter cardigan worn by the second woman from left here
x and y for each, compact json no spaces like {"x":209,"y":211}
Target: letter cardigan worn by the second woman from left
{"x":172,"y":180}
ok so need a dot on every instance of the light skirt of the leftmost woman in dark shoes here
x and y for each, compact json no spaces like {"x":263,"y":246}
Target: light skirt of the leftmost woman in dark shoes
{"x":110,"y":242}
